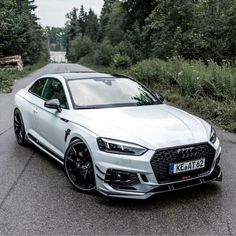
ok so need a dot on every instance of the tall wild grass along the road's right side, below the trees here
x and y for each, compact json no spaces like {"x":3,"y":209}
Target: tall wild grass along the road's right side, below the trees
{"x":206,"y":90}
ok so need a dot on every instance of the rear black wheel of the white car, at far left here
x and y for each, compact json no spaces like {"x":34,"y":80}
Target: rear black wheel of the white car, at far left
{"x":19,"y":128}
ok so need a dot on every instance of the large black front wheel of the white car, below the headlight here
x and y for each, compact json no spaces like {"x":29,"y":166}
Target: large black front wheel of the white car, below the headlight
{"x":78,"y":166}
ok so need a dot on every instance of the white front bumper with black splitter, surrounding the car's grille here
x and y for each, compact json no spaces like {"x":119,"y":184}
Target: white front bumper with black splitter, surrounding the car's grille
{"x":146,"y":184}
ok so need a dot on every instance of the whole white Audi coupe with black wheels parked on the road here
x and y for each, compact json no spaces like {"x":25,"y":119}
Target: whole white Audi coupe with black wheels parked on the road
{"x":115,"y":136}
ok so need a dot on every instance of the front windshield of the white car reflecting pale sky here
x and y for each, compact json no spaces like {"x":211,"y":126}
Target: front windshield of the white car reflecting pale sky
{"x":109,"y":92}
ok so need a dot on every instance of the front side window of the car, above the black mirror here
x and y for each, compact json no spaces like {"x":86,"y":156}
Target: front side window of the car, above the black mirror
{"x":54,"y":89}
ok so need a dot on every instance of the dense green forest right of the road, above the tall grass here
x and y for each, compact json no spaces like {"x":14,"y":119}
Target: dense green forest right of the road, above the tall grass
{"x":132,"y":30}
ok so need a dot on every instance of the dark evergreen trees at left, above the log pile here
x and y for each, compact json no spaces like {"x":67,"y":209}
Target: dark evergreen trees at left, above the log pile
{"x":20,"y":32}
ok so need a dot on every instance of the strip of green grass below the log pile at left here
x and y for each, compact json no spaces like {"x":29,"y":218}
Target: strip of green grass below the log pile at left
{"x":8,"y":77}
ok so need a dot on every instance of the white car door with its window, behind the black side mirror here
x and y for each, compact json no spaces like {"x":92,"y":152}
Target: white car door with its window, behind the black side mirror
{"x":50,"y":124}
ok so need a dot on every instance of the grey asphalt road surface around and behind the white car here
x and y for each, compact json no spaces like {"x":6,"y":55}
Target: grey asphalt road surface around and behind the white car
{"x":36,"y":197}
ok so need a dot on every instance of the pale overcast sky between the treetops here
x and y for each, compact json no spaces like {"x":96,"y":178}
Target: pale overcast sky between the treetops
{"x":52,"y":12}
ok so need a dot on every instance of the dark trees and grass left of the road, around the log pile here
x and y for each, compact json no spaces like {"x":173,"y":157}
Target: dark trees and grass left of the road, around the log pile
{"x":21,"y":34}
